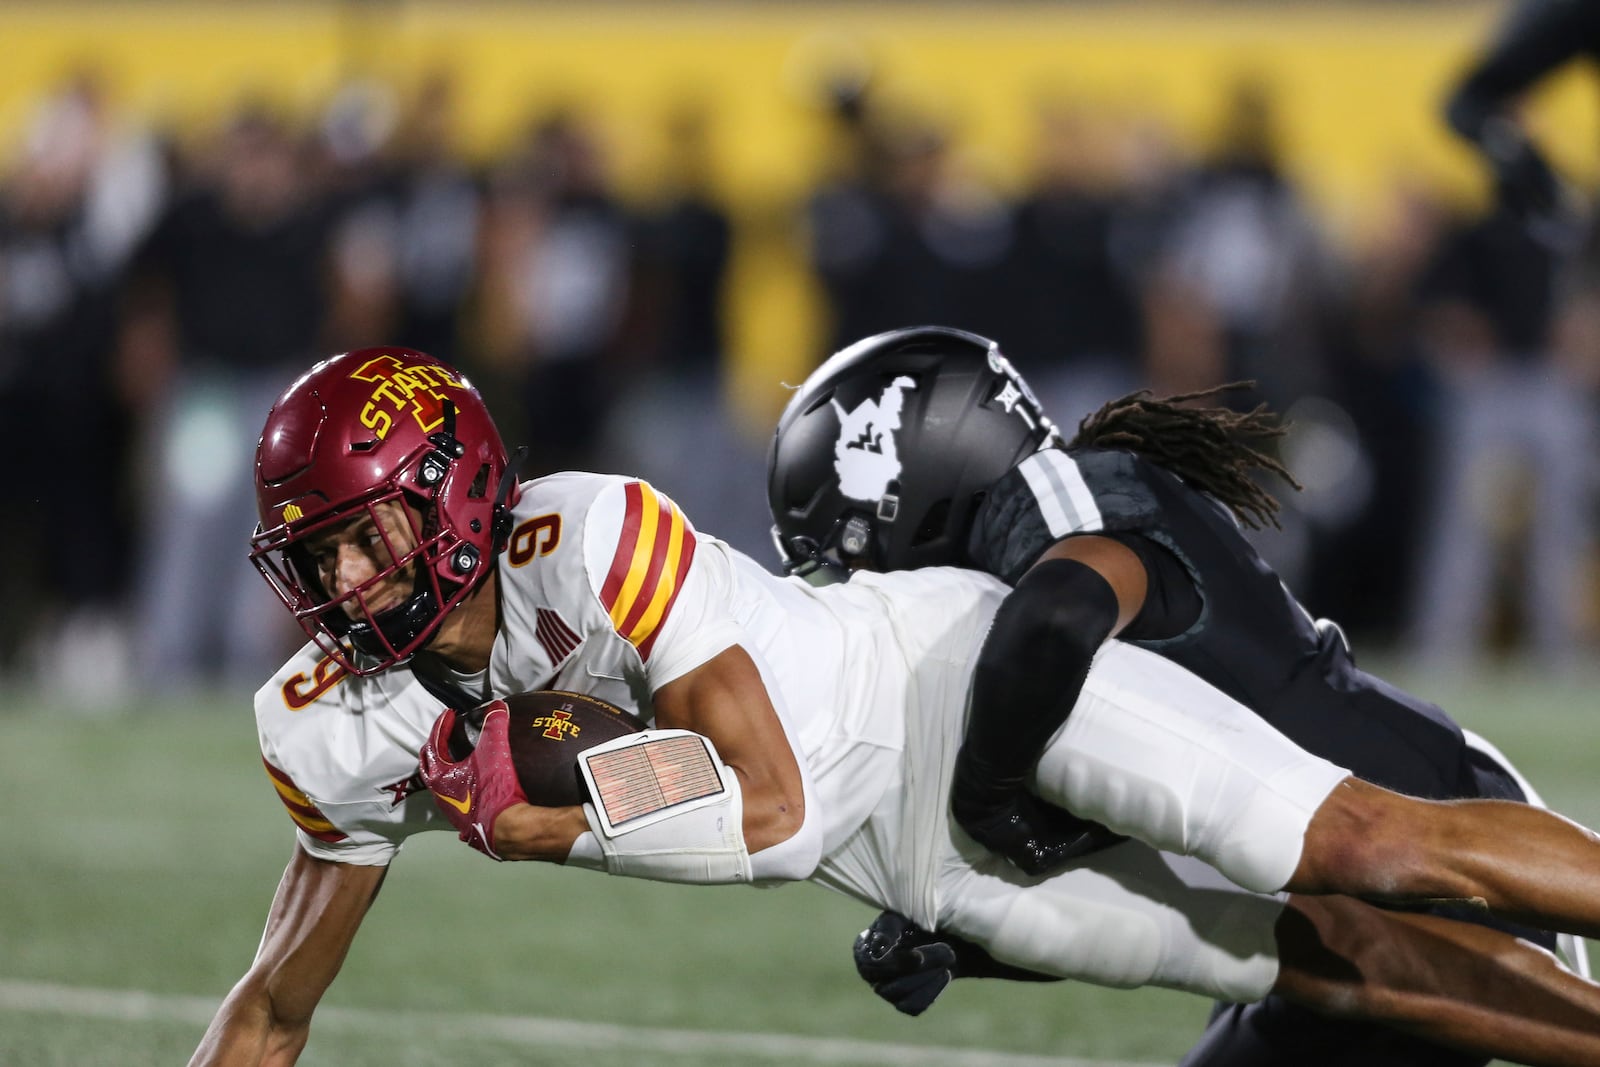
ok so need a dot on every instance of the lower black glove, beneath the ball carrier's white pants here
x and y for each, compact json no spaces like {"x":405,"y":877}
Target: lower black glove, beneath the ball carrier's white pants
{"x":910,"y":967}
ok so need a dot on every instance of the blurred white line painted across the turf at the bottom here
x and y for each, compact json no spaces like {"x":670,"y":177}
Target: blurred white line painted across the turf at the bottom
{"x":143,"y":1007}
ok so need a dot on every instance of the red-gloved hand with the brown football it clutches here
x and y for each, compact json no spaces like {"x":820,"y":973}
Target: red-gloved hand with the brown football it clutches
{"x":516,"y":751}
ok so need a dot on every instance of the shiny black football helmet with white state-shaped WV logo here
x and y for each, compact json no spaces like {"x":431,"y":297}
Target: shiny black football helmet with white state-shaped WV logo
{"x":886,"y":452}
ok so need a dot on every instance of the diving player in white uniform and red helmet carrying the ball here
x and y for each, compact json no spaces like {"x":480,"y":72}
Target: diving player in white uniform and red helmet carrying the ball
{"x":426,"y":578}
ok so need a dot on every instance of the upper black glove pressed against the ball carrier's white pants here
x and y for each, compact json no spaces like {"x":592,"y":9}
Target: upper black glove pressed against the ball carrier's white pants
{"x":1015,"y":825}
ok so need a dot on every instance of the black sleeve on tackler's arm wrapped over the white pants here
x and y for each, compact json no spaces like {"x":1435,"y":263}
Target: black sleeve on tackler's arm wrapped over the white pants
{"x":1031,"y":671}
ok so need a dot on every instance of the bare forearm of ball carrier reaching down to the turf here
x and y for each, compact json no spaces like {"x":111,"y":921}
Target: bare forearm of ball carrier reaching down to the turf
{"x":266,"y":1017}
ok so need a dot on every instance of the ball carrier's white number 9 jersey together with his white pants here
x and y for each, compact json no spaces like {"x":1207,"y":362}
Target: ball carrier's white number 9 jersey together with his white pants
{"x":607,"y":589}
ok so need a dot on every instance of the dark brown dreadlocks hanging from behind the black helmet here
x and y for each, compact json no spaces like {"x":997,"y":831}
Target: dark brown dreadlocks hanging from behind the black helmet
{"x":1214,"y":450}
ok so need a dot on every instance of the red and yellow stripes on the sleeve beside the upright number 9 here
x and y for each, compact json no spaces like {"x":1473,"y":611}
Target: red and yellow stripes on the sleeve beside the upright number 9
{"x":652,"y":559}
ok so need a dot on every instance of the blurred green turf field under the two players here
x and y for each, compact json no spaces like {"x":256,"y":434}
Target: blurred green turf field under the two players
{"x":142,"y":849}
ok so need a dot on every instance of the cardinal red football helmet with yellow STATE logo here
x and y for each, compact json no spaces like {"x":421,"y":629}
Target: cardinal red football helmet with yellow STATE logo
{"x":361,"y":430}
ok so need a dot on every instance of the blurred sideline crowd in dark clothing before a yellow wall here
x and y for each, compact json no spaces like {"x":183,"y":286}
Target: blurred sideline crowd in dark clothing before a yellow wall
{"x":631,"y":225}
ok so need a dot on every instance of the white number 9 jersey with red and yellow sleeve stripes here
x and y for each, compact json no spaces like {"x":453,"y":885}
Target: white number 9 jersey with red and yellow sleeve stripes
{"x":607,"y":589}
